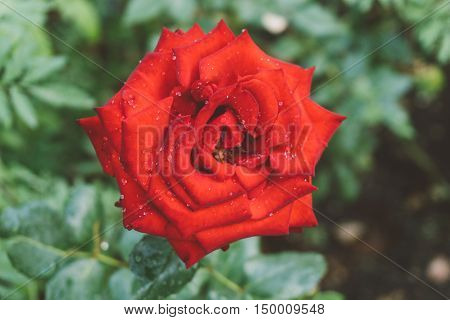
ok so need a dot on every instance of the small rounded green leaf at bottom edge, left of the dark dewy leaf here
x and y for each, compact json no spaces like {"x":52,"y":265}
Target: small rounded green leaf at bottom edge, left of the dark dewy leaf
{"x":123,"y":285}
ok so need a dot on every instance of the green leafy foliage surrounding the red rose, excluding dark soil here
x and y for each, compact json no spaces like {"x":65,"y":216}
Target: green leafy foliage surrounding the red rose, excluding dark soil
{"x":54,"y":197}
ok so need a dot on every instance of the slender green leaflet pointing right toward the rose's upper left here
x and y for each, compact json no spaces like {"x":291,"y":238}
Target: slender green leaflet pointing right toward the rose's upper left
{"x":62,"y":94}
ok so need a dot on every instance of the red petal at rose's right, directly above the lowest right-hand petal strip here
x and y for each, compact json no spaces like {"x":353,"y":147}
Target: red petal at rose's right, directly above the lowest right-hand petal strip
{"x":279,"y":194}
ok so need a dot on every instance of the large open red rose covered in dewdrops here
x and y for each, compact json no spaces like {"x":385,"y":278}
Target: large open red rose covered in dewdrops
{"x":211,"y":140}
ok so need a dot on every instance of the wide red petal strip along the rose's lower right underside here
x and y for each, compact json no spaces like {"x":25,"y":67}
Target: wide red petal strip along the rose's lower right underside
{"x":215,"y":238}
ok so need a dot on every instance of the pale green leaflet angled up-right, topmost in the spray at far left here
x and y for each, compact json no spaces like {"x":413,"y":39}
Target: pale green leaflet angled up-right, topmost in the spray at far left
{"x":43,"y":67}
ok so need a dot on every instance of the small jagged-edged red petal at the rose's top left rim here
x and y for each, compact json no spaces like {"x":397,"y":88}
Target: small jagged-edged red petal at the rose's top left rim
{"x":169,"y":40}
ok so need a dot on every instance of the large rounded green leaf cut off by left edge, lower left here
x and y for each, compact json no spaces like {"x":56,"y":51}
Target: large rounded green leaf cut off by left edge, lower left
{"x":36,"y":220}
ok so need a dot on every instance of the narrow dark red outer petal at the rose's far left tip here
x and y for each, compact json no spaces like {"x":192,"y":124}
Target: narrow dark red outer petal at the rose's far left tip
{"x":94,"y":129}
